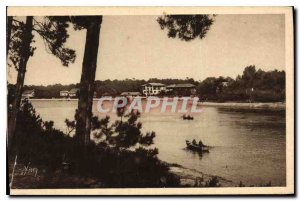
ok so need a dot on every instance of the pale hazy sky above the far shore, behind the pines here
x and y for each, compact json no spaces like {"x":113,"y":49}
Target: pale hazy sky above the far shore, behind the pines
{"x":136,"y":47}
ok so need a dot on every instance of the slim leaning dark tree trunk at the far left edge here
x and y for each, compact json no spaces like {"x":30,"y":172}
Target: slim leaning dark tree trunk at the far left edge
{"x":24,"y":54}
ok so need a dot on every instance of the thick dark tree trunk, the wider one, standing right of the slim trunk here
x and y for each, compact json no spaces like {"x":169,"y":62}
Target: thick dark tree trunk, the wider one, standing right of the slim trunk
{"x":85,"y":103}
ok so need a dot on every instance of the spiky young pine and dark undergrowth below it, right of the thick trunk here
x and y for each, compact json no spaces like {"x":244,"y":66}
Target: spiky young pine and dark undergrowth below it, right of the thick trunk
{"x":117,"y":161}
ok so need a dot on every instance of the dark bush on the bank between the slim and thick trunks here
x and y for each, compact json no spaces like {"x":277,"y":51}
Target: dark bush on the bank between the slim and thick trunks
{"x":37,"y":141}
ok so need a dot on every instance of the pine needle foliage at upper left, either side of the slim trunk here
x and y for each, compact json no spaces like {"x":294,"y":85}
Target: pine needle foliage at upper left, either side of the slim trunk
{"x":53,"y":30}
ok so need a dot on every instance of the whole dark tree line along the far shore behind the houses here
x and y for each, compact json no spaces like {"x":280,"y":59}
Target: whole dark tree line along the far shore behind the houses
{"x":252,"y":86}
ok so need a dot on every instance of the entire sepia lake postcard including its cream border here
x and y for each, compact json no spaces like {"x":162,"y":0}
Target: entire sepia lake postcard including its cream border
{"x":150,"y":100}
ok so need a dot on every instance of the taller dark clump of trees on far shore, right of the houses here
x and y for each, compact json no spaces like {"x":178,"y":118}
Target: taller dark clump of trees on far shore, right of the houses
{"x":252,"y":86}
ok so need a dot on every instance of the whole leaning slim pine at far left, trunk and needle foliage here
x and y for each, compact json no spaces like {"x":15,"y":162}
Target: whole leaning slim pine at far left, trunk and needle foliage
{"x":19,"y":49}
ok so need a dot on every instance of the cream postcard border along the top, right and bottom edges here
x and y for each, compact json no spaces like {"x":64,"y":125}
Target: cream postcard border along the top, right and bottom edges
{"x":289,"y":60}
